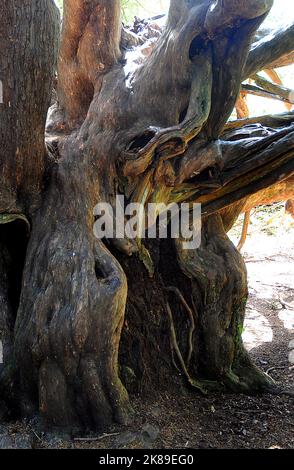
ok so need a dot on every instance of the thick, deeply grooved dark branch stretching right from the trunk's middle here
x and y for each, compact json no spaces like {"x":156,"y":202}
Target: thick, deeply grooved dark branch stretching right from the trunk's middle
{"x":247,"y":160}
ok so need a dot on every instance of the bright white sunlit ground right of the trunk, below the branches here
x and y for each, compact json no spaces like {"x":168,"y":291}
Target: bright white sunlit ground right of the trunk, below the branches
{"x":269,"y":256}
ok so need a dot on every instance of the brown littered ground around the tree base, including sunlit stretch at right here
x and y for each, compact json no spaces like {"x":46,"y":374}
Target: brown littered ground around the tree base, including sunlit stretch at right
{"x":218,"y":420}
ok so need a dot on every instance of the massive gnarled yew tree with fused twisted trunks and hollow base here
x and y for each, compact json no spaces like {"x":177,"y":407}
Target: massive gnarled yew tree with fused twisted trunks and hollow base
{"x":84,"y":321}
